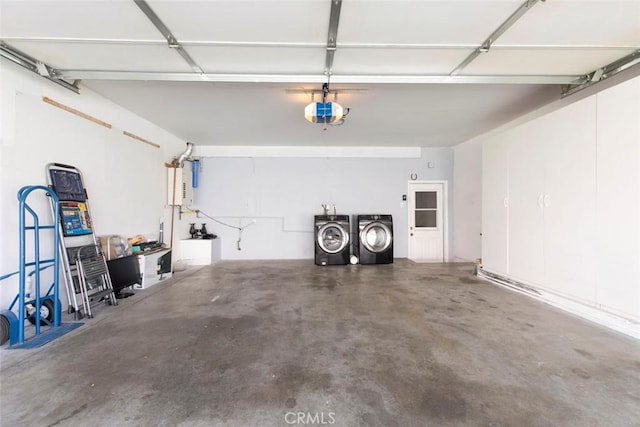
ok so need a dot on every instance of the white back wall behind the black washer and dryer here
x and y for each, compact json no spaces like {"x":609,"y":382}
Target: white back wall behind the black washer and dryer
{"x":282,"y":194}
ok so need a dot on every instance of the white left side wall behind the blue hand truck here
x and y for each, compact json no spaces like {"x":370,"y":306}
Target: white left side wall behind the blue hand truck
{"x":125,"y":178}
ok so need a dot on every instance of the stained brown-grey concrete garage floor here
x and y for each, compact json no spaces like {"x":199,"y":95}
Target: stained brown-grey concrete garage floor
{"x":266,"y":343}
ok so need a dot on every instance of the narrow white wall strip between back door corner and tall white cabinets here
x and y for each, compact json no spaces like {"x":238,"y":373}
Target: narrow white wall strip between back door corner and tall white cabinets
{"x":467,"y":201}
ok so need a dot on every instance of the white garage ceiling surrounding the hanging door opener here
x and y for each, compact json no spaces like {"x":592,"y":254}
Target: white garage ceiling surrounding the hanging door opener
{"x":251,"y":52}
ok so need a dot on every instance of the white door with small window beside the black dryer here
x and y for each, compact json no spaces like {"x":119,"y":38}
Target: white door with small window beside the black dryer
{"x":427,"y":222}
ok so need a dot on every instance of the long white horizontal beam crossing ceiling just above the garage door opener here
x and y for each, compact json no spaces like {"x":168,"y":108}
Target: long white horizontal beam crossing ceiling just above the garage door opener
{"x":317,"y":78}
